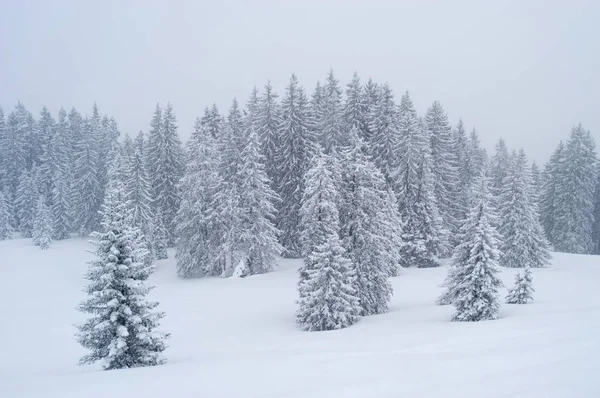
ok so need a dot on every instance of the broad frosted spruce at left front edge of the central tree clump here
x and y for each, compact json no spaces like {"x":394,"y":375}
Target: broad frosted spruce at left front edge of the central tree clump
{"x":197,"y":228}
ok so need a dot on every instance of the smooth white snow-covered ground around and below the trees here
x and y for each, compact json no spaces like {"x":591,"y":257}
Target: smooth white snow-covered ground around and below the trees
{"x":237,"y":337}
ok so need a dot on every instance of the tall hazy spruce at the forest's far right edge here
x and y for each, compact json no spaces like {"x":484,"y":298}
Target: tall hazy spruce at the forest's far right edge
{"x":574,"y":200}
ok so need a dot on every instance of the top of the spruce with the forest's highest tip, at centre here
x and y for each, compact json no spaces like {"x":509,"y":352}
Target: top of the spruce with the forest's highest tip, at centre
{"x":330,"y":115}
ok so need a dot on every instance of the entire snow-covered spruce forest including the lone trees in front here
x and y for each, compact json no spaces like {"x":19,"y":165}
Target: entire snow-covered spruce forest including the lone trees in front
{"x":347,"y":177}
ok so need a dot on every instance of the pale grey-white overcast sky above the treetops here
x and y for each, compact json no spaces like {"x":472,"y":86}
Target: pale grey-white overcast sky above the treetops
{"x":525,"y":70}
